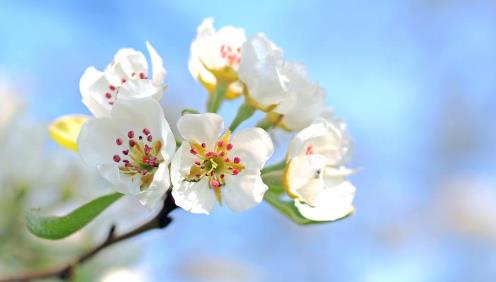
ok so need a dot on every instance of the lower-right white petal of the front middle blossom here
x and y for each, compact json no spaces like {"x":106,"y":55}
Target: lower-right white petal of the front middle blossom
{"x":244,"y":191}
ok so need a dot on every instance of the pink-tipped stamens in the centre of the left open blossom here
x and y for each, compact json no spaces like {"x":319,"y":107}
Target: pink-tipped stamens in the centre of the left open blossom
{"x":139,"y":157}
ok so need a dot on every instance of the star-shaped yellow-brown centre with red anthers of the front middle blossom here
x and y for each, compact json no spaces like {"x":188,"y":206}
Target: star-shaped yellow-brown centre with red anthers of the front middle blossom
{"x":214,"y":164}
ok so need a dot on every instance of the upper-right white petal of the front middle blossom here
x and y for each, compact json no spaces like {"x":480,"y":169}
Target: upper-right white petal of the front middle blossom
{"x":253,"y":146}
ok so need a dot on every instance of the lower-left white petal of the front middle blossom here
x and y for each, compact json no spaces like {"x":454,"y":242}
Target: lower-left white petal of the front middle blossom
{"x":195,"y":197}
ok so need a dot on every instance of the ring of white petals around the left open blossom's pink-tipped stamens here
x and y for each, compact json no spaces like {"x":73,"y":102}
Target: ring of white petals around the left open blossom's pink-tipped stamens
{"x":97,"y":143}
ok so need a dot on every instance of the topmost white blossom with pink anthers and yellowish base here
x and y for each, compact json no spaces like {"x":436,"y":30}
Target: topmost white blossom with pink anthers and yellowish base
{"x":216,"y":55}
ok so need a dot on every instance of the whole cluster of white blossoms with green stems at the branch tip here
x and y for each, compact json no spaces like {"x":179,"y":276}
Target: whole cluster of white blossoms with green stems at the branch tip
{"x":132,"y":145}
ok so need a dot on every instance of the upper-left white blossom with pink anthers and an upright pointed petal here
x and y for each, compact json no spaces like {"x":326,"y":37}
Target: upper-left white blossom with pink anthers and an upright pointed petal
{"x":122,"y":79}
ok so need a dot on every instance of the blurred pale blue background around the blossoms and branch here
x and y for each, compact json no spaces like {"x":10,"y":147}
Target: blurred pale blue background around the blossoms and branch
{"x":415,"y":80}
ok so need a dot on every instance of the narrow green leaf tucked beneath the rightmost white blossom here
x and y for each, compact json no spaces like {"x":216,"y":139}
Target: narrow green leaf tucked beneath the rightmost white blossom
{"x":290,"y":210}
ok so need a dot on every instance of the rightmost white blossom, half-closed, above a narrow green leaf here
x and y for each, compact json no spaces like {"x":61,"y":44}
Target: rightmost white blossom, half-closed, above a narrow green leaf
{"x":315,"y":175}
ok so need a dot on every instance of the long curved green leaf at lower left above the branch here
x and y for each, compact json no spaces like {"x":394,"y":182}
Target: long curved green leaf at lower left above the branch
{"x":54,"y":227}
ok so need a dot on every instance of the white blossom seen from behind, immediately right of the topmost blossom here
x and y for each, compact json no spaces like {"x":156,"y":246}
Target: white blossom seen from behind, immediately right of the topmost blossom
{"x":262,"y":68}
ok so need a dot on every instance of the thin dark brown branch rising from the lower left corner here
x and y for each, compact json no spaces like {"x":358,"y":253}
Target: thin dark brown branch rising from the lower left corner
{"x":66,"y":272}
